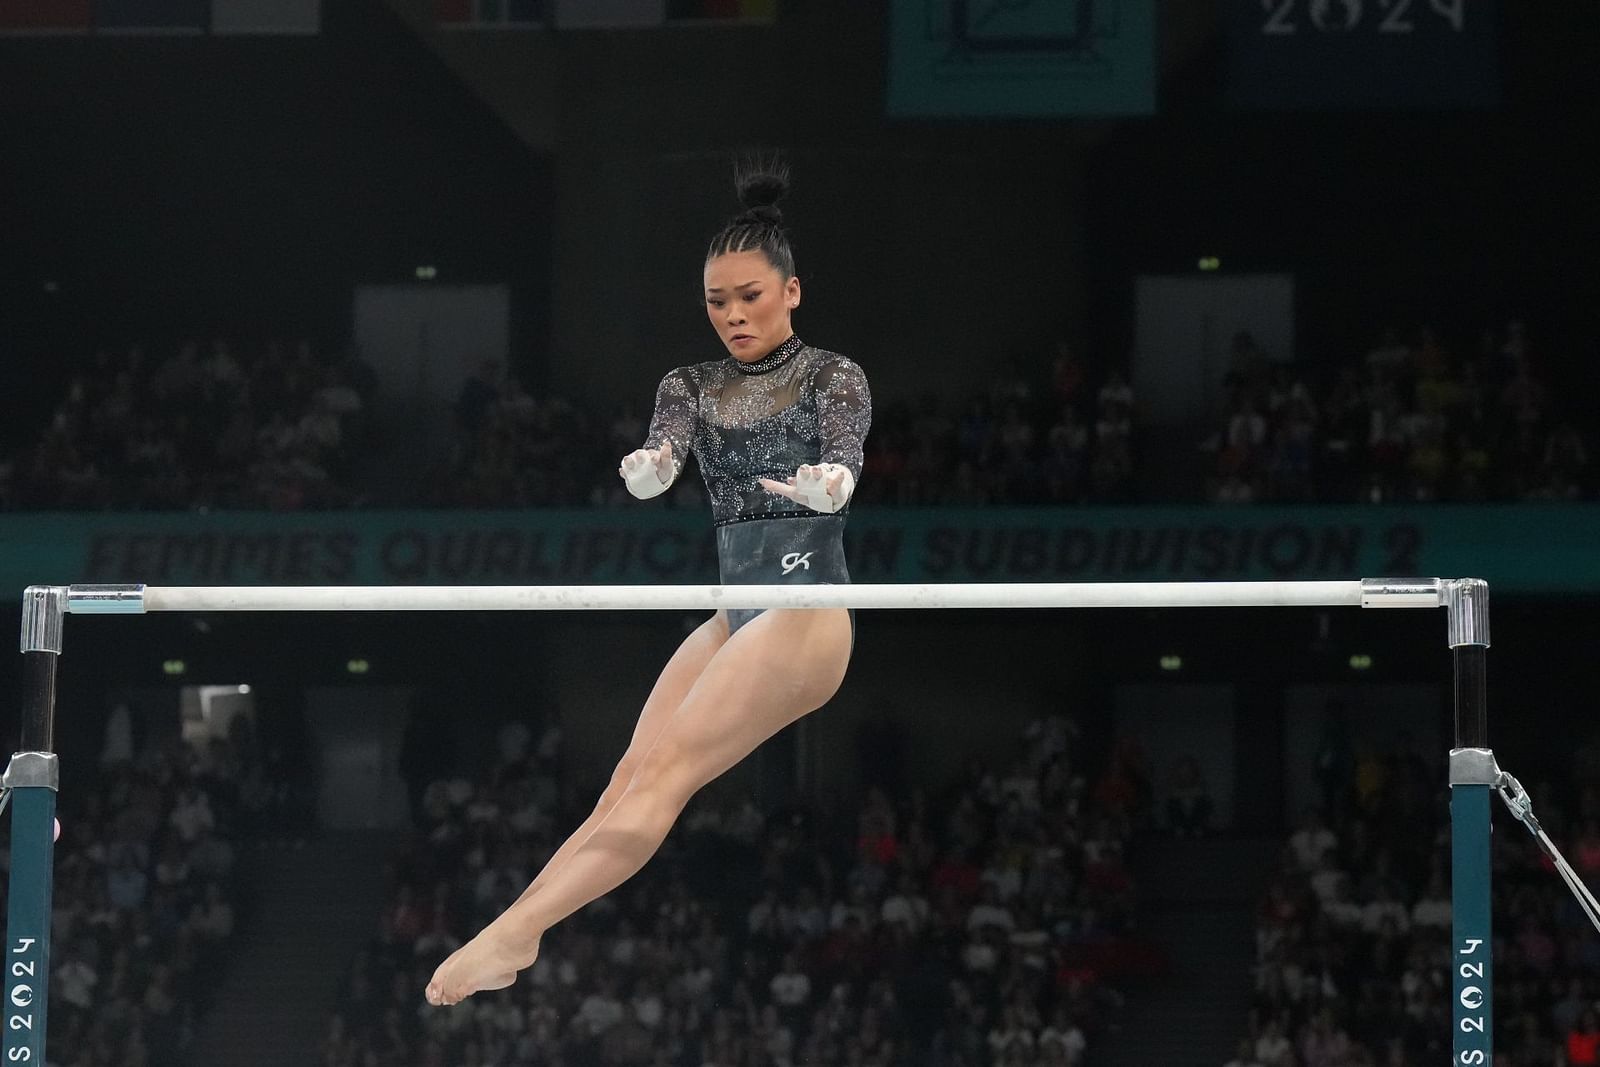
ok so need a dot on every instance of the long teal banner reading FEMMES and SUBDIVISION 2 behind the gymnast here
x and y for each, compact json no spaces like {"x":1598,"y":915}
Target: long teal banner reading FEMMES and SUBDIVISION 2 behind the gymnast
{"x":1526,"y":549}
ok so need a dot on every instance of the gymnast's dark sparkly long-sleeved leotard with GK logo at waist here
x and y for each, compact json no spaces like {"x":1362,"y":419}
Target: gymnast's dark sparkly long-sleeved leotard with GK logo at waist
{"x":751,"y":422}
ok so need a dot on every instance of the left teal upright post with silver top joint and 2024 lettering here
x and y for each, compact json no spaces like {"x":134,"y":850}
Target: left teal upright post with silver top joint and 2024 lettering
{"x":31,"y":783}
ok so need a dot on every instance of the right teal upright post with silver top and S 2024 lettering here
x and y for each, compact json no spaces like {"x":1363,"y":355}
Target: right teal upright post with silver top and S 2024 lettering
{"x":1473,"y":780}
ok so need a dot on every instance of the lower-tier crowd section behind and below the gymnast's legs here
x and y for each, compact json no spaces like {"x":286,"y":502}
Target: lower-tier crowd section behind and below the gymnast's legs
{"x":977,"y":925}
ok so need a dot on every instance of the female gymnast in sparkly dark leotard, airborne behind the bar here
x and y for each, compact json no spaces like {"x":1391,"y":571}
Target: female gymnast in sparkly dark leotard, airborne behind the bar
{"x":775,"y":406}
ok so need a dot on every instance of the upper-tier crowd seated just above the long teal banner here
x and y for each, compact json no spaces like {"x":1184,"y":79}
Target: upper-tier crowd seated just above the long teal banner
{"x":278,"y":426}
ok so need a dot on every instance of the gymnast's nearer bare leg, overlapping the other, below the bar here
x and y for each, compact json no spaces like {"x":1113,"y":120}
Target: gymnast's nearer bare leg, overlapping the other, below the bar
{"x":774,"y":671}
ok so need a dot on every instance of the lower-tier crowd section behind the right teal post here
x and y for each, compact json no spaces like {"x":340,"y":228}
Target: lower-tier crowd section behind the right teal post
{"x":1353,"y":938}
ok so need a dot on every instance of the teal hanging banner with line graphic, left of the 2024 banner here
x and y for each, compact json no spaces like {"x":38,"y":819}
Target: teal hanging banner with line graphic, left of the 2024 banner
{"x":1022,"y":58}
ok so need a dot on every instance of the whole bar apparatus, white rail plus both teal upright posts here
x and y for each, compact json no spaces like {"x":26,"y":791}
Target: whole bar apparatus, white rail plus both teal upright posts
{"x":33,"y":777}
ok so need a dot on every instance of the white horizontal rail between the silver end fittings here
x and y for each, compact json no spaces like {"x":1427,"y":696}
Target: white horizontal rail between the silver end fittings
{"x":711,"y":597}
